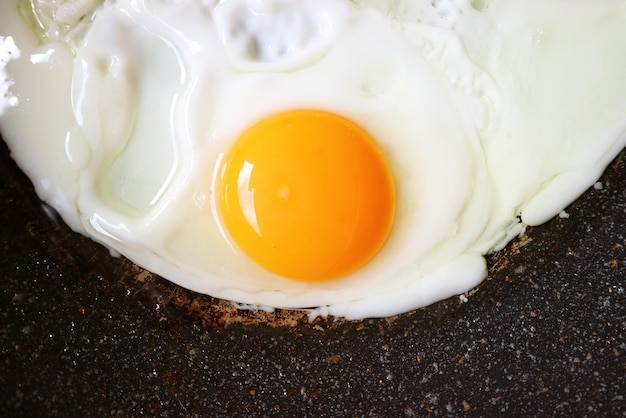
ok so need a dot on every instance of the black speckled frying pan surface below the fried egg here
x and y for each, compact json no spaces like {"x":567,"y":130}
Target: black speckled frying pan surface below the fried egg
{"x":86,"y":334}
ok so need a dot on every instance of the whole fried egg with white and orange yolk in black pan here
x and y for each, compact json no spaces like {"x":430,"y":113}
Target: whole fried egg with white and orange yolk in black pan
{"x":354,"y":158}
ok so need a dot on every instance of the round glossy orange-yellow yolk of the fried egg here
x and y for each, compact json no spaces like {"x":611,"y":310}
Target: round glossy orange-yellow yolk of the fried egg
{"x":307,"y":195}
